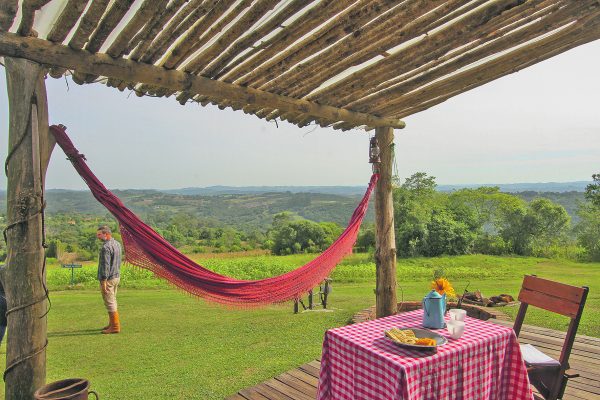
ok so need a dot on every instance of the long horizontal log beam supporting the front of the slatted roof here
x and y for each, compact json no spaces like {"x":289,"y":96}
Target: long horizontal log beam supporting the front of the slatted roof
{"x":103,"y":65}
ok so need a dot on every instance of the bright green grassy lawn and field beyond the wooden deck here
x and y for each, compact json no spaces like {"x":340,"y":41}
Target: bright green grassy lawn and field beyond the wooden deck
{"x":174,"y":346}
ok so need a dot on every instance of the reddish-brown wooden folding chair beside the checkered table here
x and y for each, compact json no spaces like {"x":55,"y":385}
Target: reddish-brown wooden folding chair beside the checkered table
{"x":547,"y":375}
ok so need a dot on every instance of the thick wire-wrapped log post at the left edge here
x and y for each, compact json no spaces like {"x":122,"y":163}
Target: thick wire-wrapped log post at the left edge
{"x":29,"y":149}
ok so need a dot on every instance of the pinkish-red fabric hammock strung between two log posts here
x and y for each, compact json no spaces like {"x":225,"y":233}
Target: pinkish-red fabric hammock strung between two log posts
{"x":147,"y":249}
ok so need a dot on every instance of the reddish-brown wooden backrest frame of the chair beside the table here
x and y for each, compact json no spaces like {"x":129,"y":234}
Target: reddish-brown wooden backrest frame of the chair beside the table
{"x":556,"y":297}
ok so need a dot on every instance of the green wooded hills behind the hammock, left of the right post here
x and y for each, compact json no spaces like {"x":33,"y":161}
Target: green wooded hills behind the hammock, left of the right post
{"x":244,"y":211}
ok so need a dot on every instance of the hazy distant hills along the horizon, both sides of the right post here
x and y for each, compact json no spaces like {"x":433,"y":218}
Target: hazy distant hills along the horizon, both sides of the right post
{"x":254,"y":206}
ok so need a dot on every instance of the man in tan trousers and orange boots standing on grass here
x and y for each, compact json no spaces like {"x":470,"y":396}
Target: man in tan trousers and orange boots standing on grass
{"x":109,"y":272}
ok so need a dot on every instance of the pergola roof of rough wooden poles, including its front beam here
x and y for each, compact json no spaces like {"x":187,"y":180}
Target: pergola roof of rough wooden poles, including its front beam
{"x":339,"y":63}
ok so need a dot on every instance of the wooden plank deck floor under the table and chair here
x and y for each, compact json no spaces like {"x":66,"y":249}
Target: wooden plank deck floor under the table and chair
{"x":301,"y":383}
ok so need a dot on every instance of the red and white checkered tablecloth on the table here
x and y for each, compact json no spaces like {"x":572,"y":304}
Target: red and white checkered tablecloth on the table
{"x":358,"y":362}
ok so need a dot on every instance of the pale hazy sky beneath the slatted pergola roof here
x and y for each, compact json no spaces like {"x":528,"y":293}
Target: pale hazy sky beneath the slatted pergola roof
{"x":541,"y":124}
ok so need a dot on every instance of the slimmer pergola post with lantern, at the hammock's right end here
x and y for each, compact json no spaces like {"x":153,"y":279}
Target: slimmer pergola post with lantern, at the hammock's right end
{"x":385,"y":247}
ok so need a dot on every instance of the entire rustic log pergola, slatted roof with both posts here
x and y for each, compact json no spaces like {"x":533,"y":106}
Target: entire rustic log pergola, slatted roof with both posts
{"x":343,"y":64}
